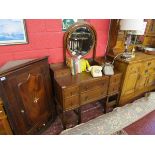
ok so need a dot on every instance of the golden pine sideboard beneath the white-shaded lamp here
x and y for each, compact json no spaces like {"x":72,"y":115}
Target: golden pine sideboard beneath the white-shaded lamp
{"x":138,"y":76}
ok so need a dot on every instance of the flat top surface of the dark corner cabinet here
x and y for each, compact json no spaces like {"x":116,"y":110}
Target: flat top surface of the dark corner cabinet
{"x":13,"y":65}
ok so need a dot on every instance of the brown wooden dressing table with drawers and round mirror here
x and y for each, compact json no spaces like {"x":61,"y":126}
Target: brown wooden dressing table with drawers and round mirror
{"x":74,"y":91}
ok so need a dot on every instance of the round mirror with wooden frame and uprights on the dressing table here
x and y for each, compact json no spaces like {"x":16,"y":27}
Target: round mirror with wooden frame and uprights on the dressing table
{"x":79,"y":40}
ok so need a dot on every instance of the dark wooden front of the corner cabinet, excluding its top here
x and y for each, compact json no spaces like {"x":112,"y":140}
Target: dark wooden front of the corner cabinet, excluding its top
{"x":29,"y":99}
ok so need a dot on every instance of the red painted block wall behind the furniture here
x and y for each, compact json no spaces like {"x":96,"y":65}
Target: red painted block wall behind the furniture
{"x":45,"y":37}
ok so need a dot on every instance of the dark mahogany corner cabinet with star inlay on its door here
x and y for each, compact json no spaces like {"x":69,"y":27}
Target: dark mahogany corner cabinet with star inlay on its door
{"x":26,"y":91}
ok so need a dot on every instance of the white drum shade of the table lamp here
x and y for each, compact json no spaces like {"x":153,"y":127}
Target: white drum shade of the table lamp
{"x":131,"y":24}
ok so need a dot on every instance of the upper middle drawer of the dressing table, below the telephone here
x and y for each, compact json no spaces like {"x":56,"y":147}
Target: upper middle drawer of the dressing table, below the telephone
{"x":93,"y":85}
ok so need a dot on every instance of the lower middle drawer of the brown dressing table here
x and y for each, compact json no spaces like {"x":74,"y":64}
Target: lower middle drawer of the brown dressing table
{"x":92,"y":95}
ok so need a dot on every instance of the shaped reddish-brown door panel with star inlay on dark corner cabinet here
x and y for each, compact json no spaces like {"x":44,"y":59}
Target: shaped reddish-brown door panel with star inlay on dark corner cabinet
{"x":33,"y":94}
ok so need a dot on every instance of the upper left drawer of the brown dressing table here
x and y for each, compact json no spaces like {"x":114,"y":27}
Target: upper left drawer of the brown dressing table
{"x":70,"y":91}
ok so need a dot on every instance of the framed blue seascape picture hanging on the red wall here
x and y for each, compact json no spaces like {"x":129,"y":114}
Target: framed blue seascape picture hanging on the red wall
{"x":12,"y":31}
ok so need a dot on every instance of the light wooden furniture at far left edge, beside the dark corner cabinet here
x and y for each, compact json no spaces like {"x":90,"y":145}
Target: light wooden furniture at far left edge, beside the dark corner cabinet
{"x":4,"y":124}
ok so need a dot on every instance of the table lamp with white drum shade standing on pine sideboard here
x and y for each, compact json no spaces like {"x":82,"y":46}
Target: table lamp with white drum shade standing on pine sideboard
{"x":131,"y":26}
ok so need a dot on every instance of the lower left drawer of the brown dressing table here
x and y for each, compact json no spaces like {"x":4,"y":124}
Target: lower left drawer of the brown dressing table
{"x":71,"y":103}
